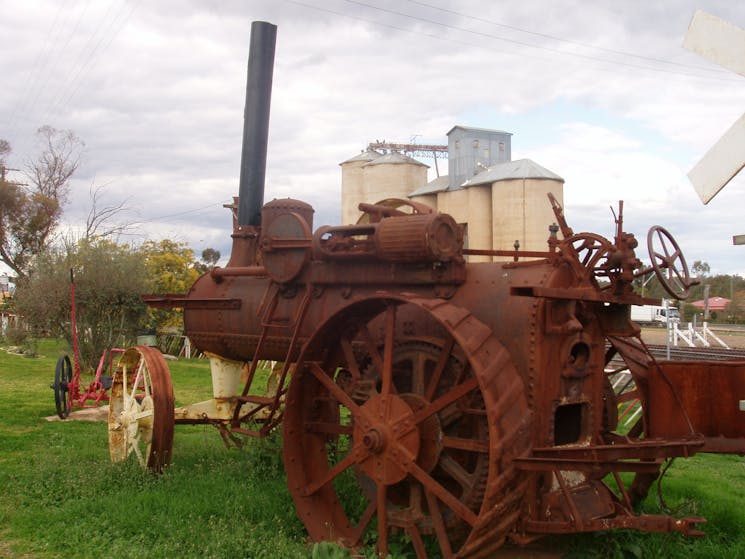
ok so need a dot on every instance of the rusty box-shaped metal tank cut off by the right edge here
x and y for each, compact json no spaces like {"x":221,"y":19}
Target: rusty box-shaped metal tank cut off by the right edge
{"x":712,"y":394}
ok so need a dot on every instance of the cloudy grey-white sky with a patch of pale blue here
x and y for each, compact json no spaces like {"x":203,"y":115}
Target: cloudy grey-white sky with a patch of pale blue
{"x":600,"y":92}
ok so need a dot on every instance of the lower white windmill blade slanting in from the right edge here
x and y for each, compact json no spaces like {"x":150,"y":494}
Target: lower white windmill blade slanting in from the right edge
{"x":721,"y":163}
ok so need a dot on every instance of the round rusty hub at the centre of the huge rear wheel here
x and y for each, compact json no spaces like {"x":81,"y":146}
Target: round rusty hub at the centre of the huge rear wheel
{"x":386,"y":430}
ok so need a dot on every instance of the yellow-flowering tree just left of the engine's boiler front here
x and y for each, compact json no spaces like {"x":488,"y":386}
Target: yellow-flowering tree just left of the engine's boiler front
{"x":171,"y":268}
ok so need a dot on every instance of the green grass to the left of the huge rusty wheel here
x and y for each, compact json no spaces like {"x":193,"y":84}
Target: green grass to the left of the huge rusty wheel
{"x":61,"y":497}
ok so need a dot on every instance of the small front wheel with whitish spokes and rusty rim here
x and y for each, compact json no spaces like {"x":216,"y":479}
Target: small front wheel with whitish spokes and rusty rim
{"x":141,"y":408}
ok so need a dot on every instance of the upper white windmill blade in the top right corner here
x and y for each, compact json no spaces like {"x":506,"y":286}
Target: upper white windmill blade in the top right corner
{"x":717,"y":40}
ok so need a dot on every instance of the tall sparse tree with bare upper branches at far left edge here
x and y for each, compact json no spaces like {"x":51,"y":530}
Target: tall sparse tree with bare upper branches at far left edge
{"x":29,"y":214}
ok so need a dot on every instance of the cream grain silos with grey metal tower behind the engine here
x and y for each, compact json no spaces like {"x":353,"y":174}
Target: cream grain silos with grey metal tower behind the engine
{"x":498,"y":201}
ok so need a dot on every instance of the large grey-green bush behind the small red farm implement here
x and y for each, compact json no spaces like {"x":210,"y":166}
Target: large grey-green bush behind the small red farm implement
{"x":109,"y":279}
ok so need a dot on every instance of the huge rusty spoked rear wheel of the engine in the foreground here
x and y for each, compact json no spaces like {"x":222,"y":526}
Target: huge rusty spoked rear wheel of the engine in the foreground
{"x":385,"y":434}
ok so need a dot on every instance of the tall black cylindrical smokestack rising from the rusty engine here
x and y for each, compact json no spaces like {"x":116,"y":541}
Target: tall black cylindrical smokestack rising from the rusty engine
{"x":256,"y":122}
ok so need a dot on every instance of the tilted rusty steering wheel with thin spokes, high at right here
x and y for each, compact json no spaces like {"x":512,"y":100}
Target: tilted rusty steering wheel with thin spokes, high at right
{"x":669,"y":263}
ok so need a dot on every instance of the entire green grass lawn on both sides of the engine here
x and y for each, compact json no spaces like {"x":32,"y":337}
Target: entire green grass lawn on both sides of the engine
{"x":61,"y":497}
